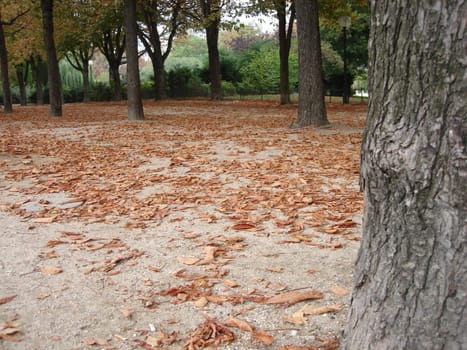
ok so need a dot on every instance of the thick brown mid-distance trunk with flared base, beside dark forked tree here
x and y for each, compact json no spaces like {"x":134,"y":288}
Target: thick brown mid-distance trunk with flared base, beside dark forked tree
{"x":311,"y":105}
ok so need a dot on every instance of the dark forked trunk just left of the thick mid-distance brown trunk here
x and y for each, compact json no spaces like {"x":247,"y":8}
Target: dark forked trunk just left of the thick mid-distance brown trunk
{"x":285,"y":39}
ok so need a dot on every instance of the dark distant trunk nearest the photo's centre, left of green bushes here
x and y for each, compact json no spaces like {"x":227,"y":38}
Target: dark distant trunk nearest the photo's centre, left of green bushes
{"x":212,"y":38}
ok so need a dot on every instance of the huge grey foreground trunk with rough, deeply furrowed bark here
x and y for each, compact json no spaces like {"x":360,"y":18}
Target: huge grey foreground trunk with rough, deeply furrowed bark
{"x":411,"y":276}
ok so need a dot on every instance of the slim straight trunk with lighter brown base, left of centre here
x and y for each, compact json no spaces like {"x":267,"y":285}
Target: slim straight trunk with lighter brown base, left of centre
{"x":135,"y":105}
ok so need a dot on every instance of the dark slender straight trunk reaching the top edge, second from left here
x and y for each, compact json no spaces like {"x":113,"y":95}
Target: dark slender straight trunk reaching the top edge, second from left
{"x":55,"y":93}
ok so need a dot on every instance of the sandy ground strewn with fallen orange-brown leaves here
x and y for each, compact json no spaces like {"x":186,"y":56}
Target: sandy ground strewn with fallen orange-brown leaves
{"x":208,"y":224}
